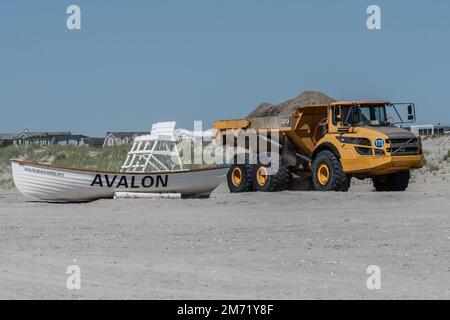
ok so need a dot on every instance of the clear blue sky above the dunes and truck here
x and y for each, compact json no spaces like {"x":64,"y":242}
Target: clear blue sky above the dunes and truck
{"x":136,"y":62}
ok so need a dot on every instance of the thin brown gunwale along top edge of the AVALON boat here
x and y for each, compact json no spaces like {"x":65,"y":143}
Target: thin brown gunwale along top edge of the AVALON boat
{"x":47,"y":166}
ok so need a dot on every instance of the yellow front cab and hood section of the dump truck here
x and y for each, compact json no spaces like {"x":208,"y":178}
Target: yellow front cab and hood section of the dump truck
{"x":368,"y":144}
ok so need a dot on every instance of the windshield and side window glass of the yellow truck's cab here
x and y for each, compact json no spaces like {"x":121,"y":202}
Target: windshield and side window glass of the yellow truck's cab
{"x":364,"y":115}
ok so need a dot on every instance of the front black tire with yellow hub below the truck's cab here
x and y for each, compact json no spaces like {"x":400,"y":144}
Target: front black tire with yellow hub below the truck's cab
{"x":327,"y":173}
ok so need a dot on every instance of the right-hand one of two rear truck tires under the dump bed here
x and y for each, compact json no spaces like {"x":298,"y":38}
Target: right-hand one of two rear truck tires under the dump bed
{"x":264,"y":182}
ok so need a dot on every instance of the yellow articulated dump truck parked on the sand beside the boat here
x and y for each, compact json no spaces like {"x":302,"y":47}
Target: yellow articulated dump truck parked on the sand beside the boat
{"x":328,"y":145}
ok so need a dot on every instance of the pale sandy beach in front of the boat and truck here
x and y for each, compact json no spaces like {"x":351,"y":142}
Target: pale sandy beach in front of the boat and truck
{"x":290,"y":245}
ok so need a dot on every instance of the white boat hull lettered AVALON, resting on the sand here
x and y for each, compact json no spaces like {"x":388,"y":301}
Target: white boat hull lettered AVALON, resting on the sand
{"x":50,"y":183}
